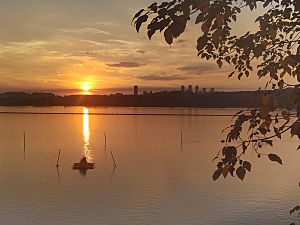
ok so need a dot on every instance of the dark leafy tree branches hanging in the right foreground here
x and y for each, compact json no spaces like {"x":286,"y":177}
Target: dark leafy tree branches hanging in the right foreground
{"x":274,"y":49}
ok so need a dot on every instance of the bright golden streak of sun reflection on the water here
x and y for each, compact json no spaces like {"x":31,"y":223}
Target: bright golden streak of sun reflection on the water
{"x":87,"y":152}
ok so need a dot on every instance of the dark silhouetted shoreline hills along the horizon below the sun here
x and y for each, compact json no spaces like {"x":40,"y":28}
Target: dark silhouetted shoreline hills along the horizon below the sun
{"x":239,"y":99}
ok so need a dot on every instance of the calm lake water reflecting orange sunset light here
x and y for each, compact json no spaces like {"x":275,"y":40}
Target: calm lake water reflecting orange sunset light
{"x":156,"y":182}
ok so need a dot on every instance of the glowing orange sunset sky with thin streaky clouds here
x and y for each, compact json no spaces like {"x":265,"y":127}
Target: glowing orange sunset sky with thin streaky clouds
{"x":62,"y":45}
